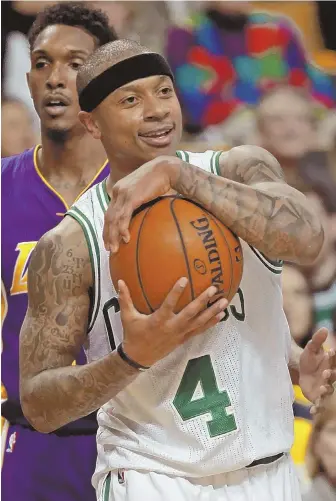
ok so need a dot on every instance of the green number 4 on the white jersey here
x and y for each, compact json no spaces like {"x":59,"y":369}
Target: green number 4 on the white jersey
{"x":199,"y":377}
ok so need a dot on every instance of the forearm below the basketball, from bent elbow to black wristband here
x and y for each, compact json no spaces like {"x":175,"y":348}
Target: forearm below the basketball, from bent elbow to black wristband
{"x":56,"y":397}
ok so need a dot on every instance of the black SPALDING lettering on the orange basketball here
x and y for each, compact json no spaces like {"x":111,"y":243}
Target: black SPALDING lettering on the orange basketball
{"x":202,"y":226}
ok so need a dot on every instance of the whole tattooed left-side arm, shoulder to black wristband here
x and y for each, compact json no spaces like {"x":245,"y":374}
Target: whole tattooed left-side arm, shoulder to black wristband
{"x":53,"y":392}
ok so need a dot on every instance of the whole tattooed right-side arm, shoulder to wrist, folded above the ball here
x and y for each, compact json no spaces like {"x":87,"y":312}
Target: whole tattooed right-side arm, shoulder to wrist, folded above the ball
{"x":253,"y":200}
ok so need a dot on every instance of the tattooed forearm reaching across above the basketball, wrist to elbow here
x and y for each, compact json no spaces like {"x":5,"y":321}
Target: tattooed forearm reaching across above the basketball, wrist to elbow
{"x":279,"y":225}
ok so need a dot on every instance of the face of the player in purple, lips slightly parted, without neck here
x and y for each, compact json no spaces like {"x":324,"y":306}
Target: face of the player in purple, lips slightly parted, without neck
{"x":59,"y":51}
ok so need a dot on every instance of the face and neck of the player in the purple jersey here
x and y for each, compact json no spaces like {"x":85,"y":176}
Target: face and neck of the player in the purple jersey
{"x":69,"y":157}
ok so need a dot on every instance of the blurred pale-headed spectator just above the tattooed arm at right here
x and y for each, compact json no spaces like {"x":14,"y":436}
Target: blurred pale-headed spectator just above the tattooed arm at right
{"x":287,"y":126}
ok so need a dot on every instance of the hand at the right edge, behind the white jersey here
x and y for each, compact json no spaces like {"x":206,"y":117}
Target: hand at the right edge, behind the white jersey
{"x":317,"y":370}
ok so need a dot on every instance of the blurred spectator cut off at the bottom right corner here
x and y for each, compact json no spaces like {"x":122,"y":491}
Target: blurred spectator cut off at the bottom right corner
{"x":321,"y":457}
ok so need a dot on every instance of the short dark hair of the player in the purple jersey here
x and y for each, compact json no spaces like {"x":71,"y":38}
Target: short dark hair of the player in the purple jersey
{"x":77,"y":14}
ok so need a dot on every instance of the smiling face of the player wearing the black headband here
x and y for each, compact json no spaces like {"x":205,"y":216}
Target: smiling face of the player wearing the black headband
{"x":141,"y":120}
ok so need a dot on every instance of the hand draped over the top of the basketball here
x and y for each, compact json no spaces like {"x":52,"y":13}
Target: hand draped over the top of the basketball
{"x":151,"y":180}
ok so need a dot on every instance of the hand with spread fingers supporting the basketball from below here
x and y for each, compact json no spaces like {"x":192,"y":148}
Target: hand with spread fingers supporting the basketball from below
{"x":149,"y":338}
